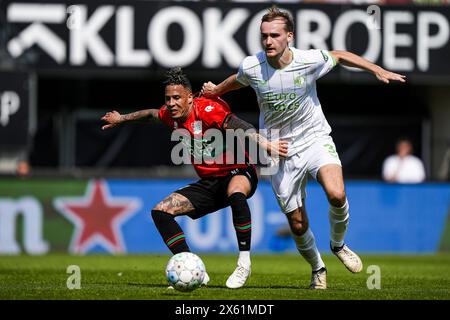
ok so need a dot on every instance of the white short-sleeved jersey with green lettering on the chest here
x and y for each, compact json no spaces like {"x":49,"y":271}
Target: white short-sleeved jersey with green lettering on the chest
{"x":287,"y":97}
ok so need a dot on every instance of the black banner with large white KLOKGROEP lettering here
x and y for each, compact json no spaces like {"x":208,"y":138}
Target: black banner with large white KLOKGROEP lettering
{"x":152,"y":35}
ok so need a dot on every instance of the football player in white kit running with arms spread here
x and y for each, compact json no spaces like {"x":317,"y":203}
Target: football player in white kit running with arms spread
{"x":284,"y":79}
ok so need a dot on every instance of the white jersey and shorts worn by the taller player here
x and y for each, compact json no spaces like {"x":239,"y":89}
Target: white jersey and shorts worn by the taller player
{"x":288,"y":102}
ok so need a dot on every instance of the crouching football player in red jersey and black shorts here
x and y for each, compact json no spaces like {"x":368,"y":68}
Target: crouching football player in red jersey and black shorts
{"x":224,"y":182}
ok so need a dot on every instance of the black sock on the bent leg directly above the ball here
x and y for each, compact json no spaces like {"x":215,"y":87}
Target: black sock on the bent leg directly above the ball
{"x":170,"y":231}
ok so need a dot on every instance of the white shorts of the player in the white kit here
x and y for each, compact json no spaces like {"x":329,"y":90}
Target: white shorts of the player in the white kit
{"x":289,"y":183}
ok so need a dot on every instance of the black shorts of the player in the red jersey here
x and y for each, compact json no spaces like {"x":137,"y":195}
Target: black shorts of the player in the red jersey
{"x":208,"y":195}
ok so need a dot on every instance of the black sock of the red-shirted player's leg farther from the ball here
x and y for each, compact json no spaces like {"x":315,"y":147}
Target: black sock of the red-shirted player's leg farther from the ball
{"x":242,"y":220}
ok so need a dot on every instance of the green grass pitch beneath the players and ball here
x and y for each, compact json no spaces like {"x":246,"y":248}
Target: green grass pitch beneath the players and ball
{"x":274,"y":277}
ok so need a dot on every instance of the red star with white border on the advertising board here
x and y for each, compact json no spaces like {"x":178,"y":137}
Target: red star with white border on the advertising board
{"x":97,"y":217}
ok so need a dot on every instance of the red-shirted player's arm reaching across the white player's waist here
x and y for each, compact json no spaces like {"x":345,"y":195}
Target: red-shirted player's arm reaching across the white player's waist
{"x":274,"y":148}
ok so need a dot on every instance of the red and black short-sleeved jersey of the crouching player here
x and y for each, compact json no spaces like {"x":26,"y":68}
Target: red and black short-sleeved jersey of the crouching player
{"x":207,"y":113}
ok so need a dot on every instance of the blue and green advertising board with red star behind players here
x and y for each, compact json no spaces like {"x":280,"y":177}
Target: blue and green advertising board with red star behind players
{"x":113,"y":216}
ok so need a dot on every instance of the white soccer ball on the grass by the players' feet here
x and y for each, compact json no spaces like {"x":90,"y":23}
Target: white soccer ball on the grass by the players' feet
{"x":185,"y":271}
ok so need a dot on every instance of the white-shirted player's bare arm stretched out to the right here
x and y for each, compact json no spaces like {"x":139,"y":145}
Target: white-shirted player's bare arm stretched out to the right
{"x":352,"y":60}
